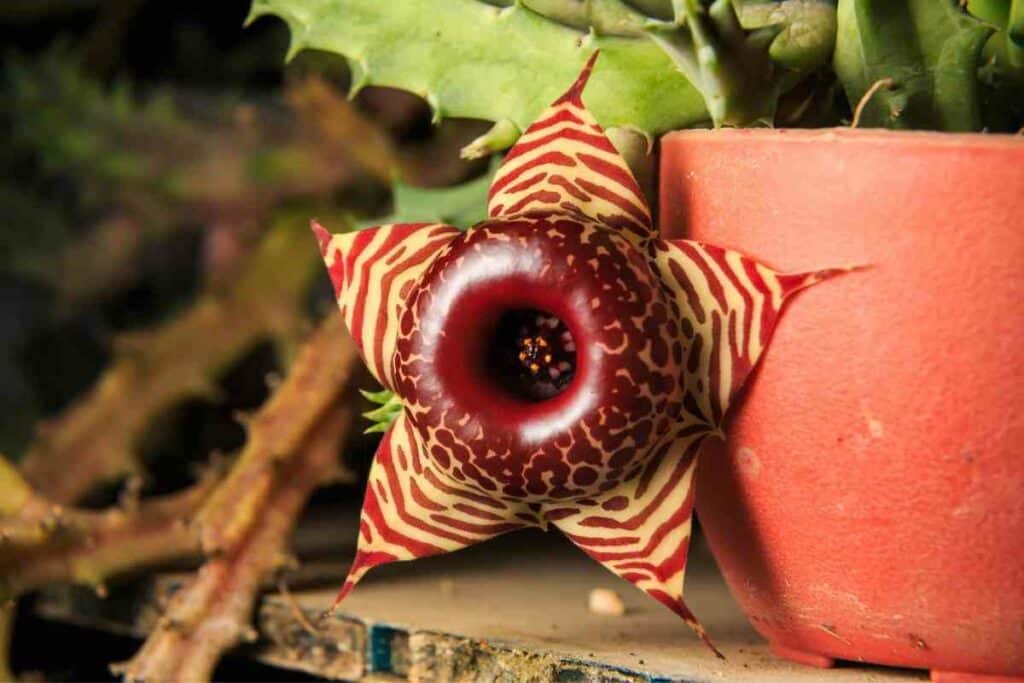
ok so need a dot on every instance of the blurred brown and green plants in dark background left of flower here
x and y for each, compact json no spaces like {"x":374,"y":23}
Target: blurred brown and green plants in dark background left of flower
{"x":160,"y":292}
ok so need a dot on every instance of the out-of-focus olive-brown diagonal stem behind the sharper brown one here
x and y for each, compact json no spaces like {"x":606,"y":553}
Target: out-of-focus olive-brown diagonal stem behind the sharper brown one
{"x":95,"y":440}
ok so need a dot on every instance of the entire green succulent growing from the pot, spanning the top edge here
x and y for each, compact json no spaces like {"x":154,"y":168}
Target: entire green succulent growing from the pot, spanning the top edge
{"x":679,"y":64}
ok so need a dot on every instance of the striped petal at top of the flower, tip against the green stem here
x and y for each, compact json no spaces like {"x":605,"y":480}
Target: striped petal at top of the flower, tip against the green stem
{"x":565,"y":164}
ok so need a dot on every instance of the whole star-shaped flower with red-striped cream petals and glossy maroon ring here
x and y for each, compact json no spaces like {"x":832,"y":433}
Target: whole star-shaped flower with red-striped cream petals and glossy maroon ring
{"x":558,"y":364}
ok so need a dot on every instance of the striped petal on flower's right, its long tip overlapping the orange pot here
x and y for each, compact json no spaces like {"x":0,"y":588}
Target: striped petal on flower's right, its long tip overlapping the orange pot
{"x":730,"y":305}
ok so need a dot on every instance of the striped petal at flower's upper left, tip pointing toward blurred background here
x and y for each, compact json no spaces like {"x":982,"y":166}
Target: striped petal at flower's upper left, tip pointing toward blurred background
{"x":372,"y":272}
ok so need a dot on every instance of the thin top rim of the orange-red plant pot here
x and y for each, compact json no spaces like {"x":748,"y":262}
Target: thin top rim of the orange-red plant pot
{"x":842,"y":136}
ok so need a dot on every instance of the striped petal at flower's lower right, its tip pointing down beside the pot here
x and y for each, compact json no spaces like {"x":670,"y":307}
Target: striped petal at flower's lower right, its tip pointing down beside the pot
{"x":642,"y":530}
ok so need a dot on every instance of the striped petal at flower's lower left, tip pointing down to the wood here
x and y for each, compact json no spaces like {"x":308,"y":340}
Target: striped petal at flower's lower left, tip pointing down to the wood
{"x":411,"y":510}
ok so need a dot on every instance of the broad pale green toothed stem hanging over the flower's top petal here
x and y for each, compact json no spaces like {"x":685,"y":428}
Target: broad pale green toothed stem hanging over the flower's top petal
{"x":472,"y":59}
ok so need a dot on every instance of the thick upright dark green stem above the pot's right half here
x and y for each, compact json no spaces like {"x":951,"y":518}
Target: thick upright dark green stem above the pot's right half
{"x":930,"y":50}
